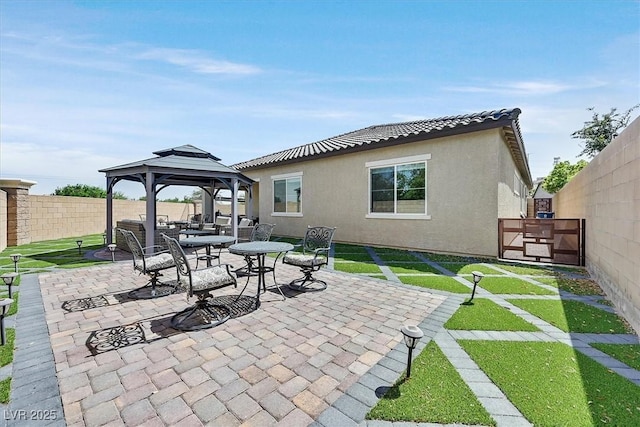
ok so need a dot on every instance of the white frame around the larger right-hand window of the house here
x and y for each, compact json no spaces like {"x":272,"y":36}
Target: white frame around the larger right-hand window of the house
{"x":395,"y":163}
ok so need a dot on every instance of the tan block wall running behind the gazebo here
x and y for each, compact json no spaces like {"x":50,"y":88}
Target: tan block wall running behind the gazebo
{"x":55,"y":217}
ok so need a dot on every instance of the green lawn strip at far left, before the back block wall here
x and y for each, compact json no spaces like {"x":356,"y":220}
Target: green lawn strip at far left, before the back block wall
{"x":53,"y":253}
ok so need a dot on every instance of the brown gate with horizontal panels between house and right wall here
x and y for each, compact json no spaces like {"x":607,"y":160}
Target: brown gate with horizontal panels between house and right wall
{"x":558,"y":241}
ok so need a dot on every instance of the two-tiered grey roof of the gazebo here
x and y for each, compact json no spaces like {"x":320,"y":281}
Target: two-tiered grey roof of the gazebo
{"x":183,"y":165}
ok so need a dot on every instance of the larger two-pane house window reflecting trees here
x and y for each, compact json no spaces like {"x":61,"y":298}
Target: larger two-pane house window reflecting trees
{"x":397,"y":188}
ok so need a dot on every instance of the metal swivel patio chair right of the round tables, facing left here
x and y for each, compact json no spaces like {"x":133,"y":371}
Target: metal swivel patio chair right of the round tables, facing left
{"x":313,"y":255}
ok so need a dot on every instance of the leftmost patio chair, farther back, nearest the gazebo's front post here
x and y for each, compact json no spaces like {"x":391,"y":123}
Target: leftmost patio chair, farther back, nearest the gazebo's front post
{"x":151,"y":262}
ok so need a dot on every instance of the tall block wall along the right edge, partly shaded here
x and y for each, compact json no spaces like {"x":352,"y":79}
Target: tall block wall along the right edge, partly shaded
{"x":607,"y":194}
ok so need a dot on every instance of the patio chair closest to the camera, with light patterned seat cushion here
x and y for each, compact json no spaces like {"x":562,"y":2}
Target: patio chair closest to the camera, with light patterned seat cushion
{"x":204,"y":313}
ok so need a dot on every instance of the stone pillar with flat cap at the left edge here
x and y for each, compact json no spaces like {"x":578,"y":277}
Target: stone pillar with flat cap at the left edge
{"x":18,"y":210}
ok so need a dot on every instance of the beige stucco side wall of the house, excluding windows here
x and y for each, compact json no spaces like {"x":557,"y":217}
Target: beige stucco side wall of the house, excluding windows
{"x":469,"y":184}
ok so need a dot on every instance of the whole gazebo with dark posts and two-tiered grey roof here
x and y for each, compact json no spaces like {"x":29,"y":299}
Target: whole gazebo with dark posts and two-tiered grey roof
{"x":185,"y":165}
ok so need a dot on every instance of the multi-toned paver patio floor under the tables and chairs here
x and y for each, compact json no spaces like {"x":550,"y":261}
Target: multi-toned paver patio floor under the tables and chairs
{"x":282,"y":364}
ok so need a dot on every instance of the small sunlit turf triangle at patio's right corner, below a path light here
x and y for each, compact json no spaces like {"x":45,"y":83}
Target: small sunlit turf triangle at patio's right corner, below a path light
{"x":486,"y":315}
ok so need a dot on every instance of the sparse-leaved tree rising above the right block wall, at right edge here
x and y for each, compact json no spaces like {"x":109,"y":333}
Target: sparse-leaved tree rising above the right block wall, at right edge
{"x":601,"y":130}
